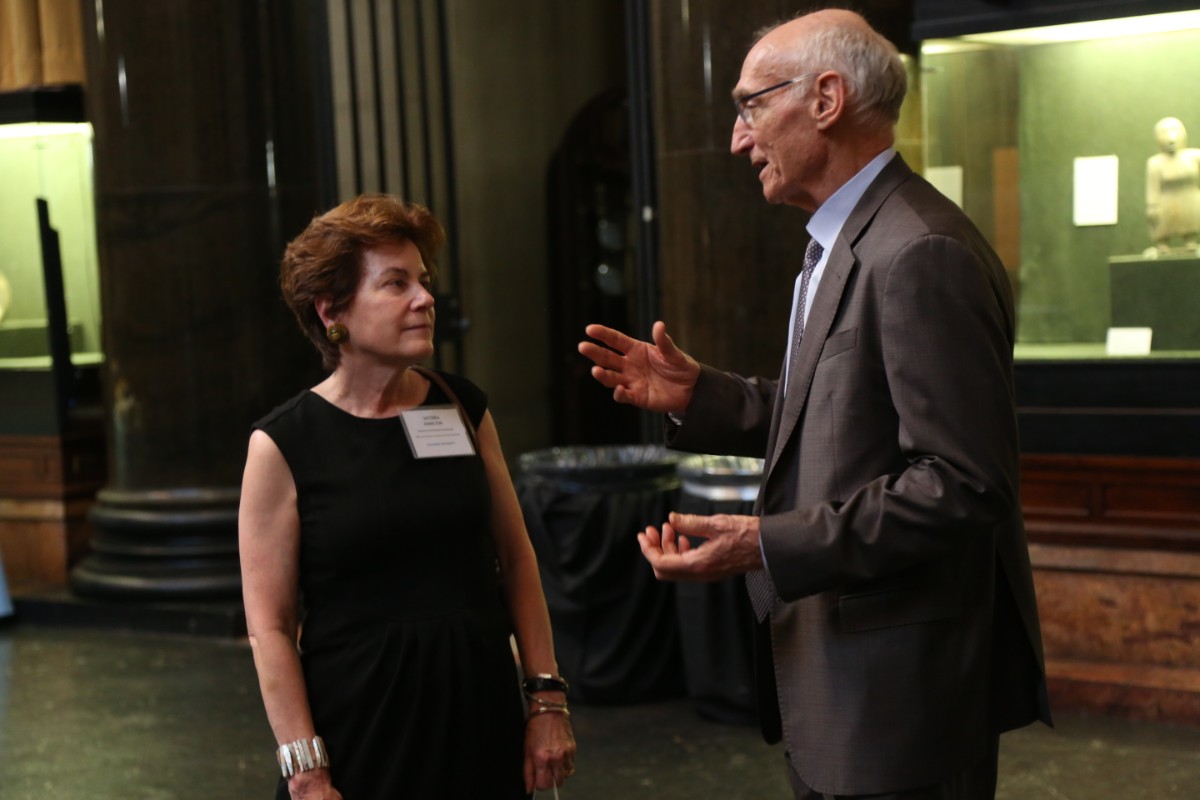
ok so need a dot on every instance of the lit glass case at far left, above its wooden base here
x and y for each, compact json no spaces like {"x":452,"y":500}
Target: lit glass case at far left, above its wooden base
{"x":50,"y":293}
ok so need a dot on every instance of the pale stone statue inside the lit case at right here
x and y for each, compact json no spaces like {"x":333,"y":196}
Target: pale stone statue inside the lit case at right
{"x":1173,"y":191}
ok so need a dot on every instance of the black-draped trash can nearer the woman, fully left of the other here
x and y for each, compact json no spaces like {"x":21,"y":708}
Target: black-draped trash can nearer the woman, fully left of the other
{"x":616,"y":633}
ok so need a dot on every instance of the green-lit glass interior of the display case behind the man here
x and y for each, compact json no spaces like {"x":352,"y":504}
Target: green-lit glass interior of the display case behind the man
{"x":1052,"y":139}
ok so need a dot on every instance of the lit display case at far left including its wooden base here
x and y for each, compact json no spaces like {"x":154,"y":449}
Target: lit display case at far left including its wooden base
{"x":52,"y":438}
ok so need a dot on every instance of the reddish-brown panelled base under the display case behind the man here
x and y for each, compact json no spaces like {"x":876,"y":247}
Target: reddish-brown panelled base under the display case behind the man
{"x":1115,"y":545}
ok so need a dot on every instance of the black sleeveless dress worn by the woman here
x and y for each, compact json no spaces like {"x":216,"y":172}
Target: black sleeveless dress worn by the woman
{"x":405,"y":642}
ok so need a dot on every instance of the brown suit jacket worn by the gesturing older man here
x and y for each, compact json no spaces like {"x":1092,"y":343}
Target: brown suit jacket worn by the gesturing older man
{"x":907,"y":633}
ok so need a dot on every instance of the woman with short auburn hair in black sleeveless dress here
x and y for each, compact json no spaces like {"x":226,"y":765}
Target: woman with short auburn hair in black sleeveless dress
{"x":379,"y":512}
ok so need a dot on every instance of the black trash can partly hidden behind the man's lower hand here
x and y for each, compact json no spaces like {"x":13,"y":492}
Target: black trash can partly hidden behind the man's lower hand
{"x":716,"y":619}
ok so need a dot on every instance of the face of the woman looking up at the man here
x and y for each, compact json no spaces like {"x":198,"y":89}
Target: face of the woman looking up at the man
{"x":392,"y":315}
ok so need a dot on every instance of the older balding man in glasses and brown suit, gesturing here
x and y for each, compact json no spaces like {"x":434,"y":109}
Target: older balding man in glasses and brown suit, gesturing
{"x":887,"y":560}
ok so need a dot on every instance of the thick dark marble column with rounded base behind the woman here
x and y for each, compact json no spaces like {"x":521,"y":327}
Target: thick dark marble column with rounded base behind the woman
{"x":206,"y":166}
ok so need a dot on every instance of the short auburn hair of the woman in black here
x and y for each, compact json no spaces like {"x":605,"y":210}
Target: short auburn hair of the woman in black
{"x":327,"y":258}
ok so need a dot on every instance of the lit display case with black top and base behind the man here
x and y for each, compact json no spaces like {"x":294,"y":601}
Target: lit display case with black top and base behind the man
{"x":1040,"y":121}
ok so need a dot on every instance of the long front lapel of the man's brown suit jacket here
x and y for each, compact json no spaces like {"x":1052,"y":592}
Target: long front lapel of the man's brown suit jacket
{"x":825,"y":308}
